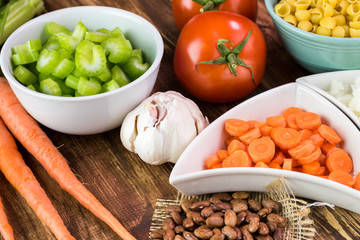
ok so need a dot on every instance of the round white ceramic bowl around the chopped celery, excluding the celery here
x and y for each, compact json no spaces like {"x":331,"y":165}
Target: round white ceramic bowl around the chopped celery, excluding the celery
{"x":90,"y":114}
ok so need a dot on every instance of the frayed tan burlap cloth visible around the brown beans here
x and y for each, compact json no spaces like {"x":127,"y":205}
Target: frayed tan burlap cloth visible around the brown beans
{"x":296,"y":211}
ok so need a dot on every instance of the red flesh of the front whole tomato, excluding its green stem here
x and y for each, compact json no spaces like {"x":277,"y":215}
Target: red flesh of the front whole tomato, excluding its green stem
{"x":198,"y":42}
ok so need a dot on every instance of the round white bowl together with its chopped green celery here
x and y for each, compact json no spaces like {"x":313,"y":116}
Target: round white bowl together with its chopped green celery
{"x":80,"y":70}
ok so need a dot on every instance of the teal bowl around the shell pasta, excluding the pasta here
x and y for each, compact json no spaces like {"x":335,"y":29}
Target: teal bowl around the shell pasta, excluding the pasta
{"x":315,"y":52}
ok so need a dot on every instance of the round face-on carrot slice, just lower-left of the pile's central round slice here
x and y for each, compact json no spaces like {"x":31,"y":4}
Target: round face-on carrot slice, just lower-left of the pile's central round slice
{"x":261,"y":150}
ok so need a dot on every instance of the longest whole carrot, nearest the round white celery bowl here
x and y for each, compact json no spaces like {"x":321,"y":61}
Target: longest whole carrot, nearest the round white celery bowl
{"x":31,"y":136}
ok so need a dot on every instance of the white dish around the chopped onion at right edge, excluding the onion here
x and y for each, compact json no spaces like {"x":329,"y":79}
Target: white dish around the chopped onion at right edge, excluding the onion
{"x":321,"y":83}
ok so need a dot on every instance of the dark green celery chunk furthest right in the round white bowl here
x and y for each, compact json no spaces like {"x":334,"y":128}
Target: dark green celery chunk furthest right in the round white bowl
{"x":135,"y":66}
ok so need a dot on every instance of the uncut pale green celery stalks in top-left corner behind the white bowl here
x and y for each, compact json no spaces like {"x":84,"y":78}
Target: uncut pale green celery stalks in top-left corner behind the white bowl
{"x":19,"y":12}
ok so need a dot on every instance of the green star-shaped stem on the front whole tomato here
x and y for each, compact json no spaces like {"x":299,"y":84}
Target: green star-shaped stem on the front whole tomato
{"x":231,"y":56}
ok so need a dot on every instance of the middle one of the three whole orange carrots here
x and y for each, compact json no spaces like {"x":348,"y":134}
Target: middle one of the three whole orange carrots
{"x":12,"y":165}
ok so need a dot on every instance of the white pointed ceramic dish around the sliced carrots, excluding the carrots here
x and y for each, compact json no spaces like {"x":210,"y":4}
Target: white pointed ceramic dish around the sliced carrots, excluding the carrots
{"x":190,"y":177}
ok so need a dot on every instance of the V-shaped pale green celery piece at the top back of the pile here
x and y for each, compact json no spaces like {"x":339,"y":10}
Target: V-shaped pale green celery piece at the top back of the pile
{"x":70,"y":42}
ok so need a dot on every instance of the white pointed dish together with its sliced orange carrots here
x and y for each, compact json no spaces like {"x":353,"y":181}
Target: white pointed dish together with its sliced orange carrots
{"x":315,"y":149}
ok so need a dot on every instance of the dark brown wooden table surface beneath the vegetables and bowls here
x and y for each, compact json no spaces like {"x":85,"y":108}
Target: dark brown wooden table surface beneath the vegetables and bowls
{"x":126,"y":185}
